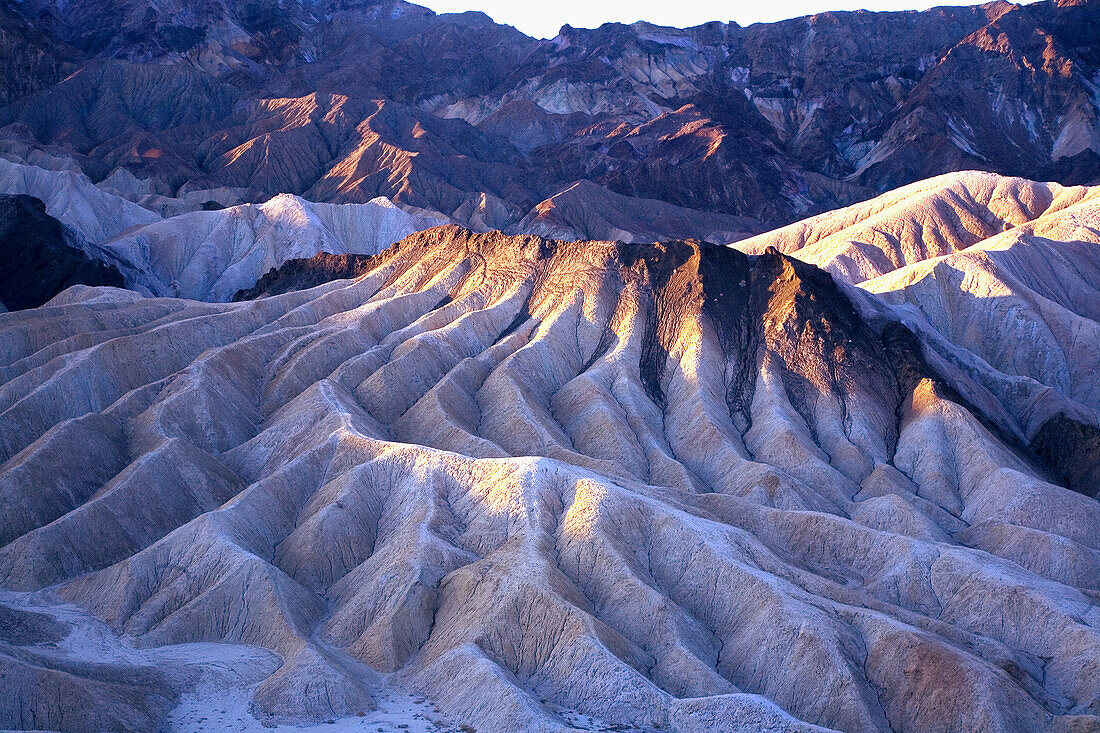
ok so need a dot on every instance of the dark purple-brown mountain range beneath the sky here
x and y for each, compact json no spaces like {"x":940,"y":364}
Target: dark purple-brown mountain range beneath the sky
{"x":344,"y":102}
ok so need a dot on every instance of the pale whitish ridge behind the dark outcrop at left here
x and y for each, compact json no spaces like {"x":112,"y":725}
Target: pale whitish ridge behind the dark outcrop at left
{"x":205,"y":251}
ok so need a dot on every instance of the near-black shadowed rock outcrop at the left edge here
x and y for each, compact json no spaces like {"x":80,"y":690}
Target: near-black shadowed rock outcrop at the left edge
{"x":38,"y":262}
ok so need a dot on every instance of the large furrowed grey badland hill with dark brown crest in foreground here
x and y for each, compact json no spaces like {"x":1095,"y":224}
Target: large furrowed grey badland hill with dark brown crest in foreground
{"x":667,"y":486}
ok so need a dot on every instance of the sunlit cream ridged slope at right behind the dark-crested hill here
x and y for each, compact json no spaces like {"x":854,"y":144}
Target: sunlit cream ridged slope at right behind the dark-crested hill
{"x":981,"y":265}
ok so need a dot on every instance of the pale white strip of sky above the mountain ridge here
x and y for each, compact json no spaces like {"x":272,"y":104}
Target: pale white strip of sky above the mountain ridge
{"x":542,"y":19}
